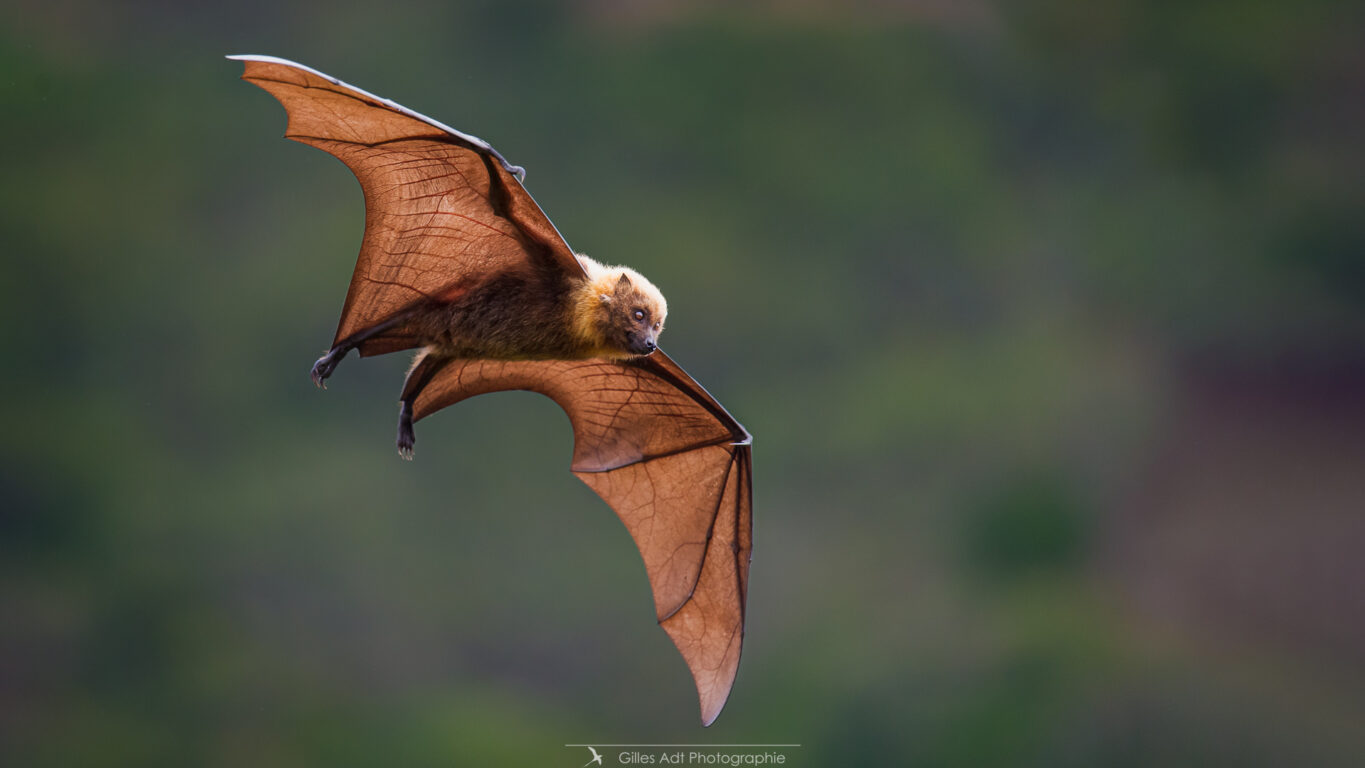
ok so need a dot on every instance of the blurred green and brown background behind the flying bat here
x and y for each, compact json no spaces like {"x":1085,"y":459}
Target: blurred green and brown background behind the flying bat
{"x":1049,"y":320}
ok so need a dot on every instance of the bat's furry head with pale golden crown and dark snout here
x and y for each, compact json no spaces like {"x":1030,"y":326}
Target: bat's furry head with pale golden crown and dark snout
{"x":620,"y":313}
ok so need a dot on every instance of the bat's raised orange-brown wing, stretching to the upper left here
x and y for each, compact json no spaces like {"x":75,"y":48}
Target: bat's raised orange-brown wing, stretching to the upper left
{"x":443,"y":209}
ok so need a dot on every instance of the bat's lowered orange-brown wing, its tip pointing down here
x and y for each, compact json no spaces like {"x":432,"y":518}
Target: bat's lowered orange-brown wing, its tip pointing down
{"x":674,"y":466}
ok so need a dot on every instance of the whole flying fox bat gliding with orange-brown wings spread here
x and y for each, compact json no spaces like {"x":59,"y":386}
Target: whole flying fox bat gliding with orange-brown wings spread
{"x":459,"y":263}
